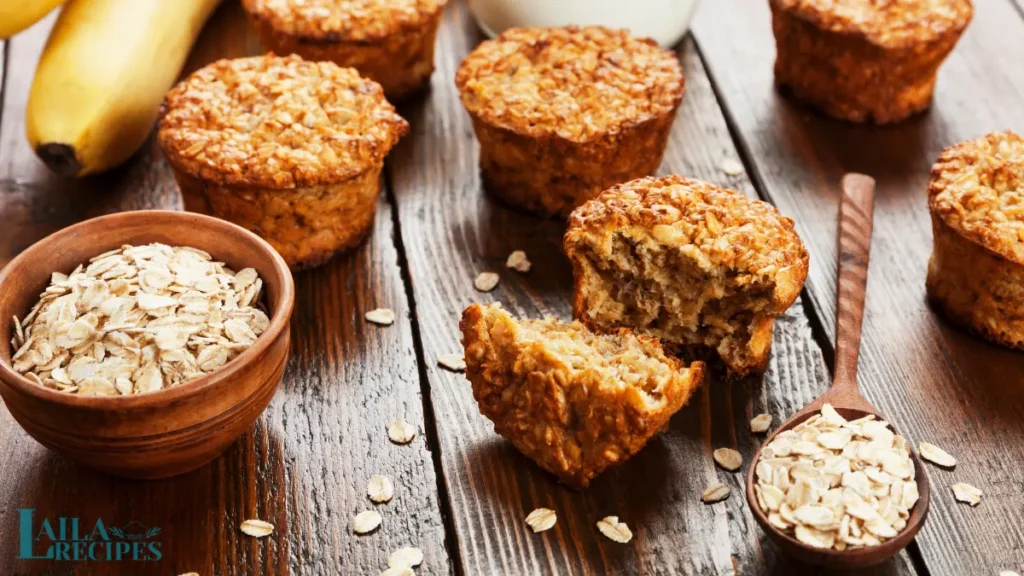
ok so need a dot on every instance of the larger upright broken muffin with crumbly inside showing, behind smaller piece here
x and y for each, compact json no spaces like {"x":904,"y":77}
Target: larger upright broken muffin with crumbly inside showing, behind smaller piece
{"x":689,"y":263}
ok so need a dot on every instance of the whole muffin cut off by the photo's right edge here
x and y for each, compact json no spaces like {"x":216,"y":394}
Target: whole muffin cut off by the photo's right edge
{"x":976,"y":273}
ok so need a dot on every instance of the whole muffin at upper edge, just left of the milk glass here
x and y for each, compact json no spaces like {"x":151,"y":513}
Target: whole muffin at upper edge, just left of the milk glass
{"x":390,"y":42}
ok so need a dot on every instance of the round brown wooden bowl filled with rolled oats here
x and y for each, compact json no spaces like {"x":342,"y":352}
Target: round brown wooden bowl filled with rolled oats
{"x":144,"y":344}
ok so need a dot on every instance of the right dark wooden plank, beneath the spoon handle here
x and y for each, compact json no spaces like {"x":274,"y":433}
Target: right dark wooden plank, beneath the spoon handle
{"x":935,"y":383}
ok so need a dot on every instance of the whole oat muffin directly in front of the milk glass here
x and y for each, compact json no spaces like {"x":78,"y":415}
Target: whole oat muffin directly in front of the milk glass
{"x":564,"y":113}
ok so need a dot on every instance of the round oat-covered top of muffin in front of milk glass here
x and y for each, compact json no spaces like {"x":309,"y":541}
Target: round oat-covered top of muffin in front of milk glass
{"x":577,"y":84}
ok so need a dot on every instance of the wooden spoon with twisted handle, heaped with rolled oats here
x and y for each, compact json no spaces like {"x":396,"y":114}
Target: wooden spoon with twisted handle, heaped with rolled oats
{"x":837,"y":485}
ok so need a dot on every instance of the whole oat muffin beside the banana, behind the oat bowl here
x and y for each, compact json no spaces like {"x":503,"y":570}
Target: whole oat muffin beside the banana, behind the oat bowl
{"x":289,"y":149}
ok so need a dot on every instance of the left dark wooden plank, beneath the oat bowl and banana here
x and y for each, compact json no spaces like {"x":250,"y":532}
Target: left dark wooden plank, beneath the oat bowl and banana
{"x":305,"y":467}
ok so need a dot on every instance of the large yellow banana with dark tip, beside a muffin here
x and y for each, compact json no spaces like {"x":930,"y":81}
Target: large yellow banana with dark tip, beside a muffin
{"x":102,"y":77}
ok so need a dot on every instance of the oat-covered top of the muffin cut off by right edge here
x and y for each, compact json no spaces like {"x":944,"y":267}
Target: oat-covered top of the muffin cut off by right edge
{"x":977,"y":189}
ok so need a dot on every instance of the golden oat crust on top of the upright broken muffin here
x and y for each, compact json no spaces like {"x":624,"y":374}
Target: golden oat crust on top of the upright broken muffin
{"x":715,"y":226}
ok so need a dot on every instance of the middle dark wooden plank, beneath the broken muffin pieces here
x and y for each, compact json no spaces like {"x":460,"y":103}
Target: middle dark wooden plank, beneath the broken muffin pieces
{"x":451,"y":232}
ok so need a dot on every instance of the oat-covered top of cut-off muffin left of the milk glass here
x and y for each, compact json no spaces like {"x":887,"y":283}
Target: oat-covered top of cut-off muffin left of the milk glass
{"x":344,"y":20}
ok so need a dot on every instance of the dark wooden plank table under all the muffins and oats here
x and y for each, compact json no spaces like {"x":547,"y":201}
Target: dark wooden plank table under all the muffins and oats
{"x":461,"y":492}
